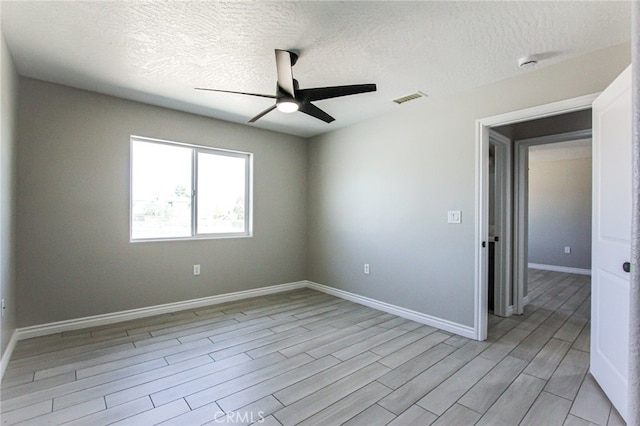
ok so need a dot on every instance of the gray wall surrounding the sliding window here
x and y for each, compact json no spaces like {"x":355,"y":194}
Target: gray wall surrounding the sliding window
{"x":74,"y":258}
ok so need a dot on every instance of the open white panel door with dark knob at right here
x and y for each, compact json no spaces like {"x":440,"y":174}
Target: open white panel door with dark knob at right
{"x":611,"y":239}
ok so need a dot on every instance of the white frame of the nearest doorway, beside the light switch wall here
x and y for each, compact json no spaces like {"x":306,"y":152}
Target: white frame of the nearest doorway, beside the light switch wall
{"x":482,"y":191}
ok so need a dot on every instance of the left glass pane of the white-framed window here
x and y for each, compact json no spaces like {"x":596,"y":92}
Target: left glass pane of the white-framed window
{"x":160,"y":191}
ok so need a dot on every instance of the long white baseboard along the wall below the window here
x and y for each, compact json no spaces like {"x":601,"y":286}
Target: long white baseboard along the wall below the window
{"x":105,"y":319}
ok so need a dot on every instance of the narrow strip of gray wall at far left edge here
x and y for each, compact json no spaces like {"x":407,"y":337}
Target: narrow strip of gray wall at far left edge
{"x":8,"y":140}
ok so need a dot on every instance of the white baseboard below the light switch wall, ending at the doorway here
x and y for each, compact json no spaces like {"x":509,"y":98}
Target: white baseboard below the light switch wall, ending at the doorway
{"x":442,"y":324}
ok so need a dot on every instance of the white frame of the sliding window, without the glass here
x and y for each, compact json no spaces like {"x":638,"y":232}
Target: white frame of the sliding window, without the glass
{"x":195,"y":149}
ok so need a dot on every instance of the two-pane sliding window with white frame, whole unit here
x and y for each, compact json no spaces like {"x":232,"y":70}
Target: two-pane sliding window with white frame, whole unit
{"x":182,"y":191}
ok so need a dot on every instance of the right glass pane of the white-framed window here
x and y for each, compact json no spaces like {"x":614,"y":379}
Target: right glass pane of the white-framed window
{"x":221,"y":194}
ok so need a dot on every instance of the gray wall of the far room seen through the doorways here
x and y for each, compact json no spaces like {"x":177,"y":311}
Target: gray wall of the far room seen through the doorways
{"x":560,"y":212}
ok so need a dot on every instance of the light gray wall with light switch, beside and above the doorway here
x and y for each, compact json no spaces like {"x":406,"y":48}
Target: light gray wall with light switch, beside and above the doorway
{"x":380,"y":190}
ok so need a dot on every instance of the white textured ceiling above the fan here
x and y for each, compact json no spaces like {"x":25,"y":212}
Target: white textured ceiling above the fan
{"x":157,"y":52}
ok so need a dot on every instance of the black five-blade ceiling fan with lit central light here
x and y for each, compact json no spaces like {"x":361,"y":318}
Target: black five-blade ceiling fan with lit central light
{"x":290,"y":98}
